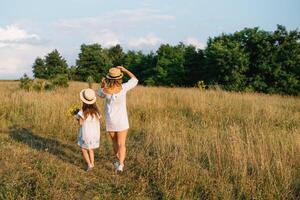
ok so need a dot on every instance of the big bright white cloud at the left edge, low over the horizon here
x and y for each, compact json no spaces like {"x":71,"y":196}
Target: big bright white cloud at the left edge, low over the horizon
{"x":18,"y":49}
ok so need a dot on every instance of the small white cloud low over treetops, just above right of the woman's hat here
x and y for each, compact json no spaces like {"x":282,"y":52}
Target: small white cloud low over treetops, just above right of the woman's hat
{"x":149,"y":40}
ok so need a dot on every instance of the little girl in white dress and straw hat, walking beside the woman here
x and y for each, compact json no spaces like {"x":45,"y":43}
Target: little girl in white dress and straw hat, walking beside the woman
{"x":89,"y":132}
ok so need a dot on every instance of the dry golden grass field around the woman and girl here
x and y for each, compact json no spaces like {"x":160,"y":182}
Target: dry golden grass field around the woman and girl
{"x":183,"y":144}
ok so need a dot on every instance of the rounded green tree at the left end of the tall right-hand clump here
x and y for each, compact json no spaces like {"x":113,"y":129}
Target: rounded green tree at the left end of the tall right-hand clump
{"x":226,"y":62}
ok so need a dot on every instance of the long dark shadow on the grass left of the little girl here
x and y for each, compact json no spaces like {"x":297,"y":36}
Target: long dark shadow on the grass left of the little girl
{"x":65,"y":152}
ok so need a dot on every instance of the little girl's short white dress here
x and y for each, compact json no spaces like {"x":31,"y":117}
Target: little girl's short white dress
{"x":89,"y":132}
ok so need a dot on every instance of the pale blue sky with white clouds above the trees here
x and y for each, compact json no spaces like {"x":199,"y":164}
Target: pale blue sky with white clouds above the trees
{"x":33,"y":28}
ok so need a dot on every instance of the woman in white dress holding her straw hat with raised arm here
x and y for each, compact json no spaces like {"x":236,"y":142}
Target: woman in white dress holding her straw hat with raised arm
{"x":116,"y":118}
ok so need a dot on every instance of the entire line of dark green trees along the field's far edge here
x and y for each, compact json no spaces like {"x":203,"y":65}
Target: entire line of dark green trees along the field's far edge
{"x":248,"y":60}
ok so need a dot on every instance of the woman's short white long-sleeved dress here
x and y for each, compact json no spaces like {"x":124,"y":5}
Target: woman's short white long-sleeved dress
{"x":116,"y":118}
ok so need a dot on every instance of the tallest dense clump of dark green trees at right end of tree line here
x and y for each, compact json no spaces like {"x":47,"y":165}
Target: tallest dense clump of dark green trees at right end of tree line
{"x":255,"y":59}
